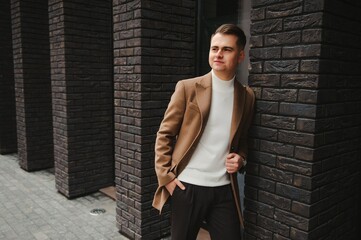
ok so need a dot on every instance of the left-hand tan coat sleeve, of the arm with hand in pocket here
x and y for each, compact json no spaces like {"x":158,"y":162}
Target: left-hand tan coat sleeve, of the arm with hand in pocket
{"x":167,"y":134}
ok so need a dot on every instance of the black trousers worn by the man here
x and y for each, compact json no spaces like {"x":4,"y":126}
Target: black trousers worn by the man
{"x":196,"y":204}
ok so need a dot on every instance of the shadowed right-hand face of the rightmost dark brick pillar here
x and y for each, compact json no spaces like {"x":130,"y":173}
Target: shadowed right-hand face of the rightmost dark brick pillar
{"x":340,"y":120}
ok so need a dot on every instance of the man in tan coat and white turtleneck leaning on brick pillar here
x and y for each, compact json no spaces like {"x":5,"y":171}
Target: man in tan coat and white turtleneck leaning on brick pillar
{"x":202,"y":144}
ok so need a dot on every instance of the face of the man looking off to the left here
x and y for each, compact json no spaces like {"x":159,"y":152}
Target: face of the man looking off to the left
{"x":225,"y":55}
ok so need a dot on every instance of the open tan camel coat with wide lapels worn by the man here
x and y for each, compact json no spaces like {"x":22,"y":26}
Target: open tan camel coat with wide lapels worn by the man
{"x":183,"y":124}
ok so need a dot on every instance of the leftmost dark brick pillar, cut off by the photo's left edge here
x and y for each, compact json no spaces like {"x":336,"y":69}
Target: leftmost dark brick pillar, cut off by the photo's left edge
{"x":8,"y":143}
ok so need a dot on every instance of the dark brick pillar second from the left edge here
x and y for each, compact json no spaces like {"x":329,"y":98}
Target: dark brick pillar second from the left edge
{"x":30,"y":34}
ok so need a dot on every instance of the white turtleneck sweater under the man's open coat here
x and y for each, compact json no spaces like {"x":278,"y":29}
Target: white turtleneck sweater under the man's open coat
{"x":207,"y":164}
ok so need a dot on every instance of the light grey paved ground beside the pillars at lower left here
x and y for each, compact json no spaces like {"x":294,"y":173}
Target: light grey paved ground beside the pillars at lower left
{"x":31,"y":208}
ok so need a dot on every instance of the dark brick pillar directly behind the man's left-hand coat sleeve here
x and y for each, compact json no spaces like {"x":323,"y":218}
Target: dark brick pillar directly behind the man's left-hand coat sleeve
{"x":153,"y":49}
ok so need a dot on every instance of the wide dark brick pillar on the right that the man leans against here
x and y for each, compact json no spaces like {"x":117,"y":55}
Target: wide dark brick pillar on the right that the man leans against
{"x":304,"y":170}
